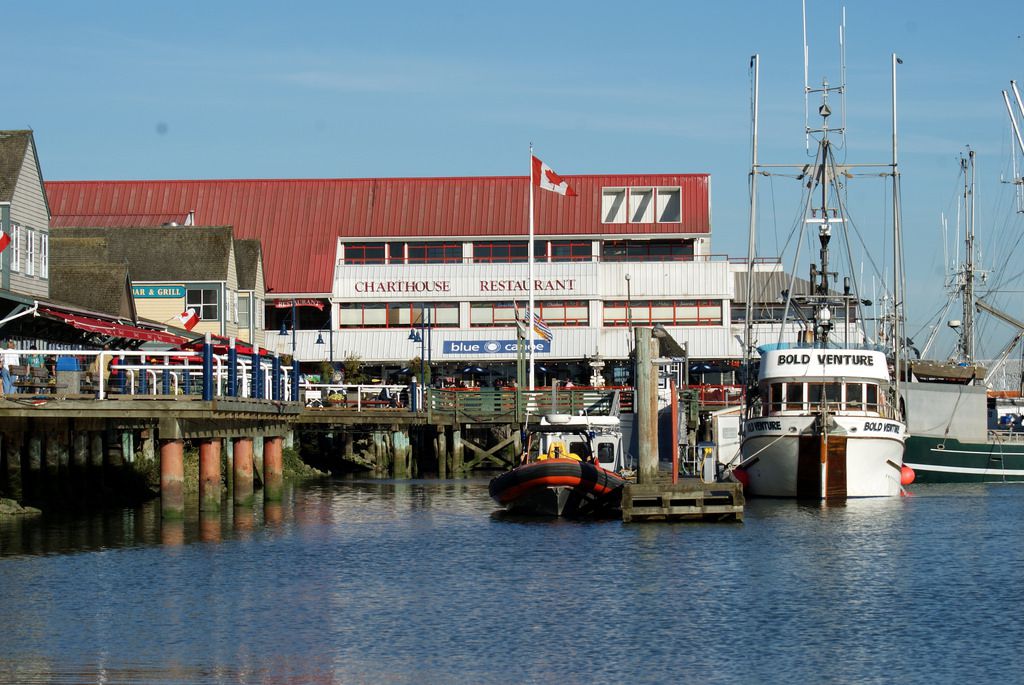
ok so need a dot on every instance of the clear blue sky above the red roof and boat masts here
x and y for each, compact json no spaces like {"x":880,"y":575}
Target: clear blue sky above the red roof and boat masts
{"x":344,"y":90}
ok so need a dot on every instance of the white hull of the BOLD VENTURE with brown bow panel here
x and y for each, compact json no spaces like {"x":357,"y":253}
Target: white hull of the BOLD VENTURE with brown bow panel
{"x":866,"y":458}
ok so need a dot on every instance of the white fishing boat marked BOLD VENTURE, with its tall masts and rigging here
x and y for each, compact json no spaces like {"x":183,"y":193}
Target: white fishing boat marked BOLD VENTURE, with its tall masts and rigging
{"x":822,"y":421}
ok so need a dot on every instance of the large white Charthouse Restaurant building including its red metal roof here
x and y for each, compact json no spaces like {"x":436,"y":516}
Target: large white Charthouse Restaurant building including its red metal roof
{"x":375,"y":254}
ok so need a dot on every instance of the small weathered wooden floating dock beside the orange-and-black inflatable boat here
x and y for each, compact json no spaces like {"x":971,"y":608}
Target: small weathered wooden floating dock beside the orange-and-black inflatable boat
{"x":689,"y":500}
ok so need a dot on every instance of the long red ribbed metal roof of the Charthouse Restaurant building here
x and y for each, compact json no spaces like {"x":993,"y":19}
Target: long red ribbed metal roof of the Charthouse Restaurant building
{"x":300,"y":222}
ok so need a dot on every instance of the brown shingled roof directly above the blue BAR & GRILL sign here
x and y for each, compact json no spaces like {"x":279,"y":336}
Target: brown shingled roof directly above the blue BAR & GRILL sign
{"x":175,"y":253}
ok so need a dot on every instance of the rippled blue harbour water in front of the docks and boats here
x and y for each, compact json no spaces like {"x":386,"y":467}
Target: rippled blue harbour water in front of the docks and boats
{"x":421,"y":583}
